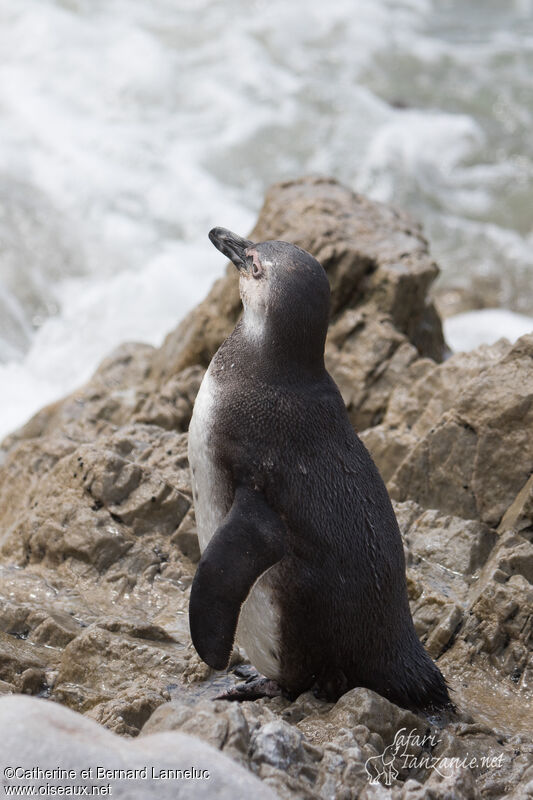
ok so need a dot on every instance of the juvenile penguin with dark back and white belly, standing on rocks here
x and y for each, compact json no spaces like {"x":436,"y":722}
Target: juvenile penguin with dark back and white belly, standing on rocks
{"x":302,"y":560}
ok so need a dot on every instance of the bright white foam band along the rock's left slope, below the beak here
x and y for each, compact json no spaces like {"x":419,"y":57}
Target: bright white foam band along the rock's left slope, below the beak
{"x":96,"y":316}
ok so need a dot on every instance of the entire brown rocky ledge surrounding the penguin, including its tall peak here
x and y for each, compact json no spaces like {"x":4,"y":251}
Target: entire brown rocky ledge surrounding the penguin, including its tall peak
{"x":98,"y":545}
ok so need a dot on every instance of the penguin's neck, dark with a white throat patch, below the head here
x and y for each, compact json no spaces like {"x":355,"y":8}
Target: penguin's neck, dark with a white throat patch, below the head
{"x":279,"y":352}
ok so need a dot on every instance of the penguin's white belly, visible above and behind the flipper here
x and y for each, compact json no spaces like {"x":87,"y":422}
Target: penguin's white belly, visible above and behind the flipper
{"x":258,"y":630}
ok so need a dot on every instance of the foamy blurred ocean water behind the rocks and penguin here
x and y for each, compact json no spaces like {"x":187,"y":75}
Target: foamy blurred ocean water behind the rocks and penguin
{"x":129,"y":128}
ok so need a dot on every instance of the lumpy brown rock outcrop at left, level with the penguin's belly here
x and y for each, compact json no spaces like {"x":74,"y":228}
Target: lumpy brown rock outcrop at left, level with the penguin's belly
{"x":93,"y":503}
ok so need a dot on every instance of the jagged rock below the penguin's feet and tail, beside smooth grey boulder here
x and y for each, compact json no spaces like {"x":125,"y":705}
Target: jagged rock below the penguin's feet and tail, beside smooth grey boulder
{"x":315,"y":750}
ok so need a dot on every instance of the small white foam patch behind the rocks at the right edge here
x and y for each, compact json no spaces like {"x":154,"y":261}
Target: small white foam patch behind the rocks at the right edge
{"x":473,"y":328}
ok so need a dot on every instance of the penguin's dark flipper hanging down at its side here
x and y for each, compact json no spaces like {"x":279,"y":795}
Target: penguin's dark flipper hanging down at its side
{"x":249,"y":541}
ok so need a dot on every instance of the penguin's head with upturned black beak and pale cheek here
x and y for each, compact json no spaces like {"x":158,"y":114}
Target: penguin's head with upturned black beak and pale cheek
{"x":284,"y":290}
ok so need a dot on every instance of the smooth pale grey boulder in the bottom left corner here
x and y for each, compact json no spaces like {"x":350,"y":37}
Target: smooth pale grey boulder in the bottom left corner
{"x":38,"y":735}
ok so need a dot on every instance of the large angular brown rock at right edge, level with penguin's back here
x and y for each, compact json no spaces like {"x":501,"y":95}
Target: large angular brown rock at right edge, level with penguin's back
{"x":450,"y":440}
